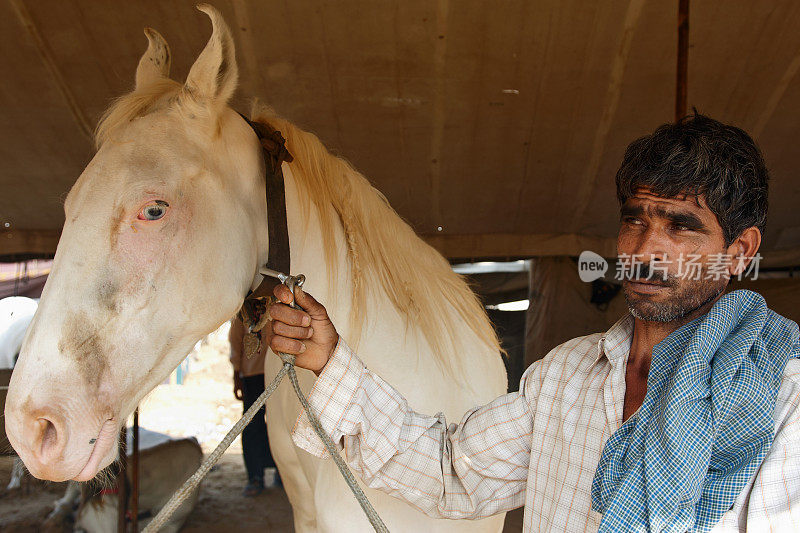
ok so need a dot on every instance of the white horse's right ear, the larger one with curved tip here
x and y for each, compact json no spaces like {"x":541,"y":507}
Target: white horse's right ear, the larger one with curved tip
{"x":213,"y":76}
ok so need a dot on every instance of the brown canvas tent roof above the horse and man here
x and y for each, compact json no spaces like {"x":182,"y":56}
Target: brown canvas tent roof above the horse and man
{"x":503,"y":124}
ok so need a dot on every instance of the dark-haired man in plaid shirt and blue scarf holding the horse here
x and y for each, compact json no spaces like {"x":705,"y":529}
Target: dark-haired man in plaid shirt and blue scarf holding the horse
{"x":681,"y":417}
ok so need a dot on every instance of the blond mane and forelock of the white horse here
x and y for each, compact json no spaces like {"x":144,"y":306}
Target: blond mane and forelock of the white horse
{"x":381,"y":246}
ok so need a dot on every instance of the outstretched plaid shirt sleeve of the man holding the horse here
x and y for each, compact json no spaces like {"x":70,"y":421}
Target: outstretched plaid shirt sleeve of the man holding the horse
{"x":472,"y":470}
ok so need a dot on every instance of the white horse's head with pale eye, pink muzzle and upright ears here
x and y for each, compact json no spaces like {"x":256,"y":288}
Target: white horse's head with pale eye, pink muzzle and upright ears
{"x":163,"y":233}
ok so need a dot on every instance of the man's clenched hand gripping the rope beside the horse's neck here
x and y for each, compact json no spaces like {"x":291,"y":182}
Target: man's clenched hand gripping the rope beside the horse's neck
{"x":309,"y":334}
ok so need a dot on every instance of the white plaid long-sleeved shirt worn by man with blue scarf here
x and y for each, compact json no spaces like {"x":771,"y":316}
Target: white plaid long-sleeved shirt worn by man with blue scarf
{"x":539,"y":447}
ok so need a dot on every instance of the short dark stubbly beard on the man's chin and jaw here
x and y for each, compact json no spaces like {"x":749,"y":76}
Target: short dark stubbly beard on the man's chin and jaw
{"x":685,"y":296}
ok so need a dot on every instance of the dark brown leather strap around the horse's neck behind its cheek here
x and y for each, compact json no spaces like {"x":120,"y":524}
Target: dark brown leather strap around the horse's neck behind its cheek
{"x":275,"y":153}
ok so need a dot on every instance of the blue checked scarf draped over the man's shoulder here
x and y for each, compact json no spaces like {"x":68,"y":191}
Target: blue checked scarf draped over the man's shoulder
{"x":706,"y":422}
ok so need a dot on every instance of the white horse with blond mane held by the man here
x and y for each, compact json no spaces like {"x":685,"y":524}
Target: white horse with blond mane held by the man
{"x":165,"y":231}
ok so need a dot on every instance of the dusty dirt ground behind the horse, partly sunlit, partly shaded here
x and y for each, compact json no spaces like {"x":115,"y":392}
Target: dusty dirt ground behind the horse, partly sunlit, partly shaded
{"x":203,"y":407}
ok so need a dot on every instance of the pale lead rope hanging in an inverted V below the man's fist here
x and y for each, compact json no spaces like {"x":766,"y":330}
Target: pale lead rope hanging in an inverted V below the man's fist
{"x":191,"y":484}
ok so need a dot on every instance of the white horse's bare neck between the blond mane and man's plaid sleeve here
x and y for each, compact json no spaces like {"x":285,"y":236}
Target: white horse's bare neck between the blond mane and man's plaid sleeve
{"x":383,"y":339}
